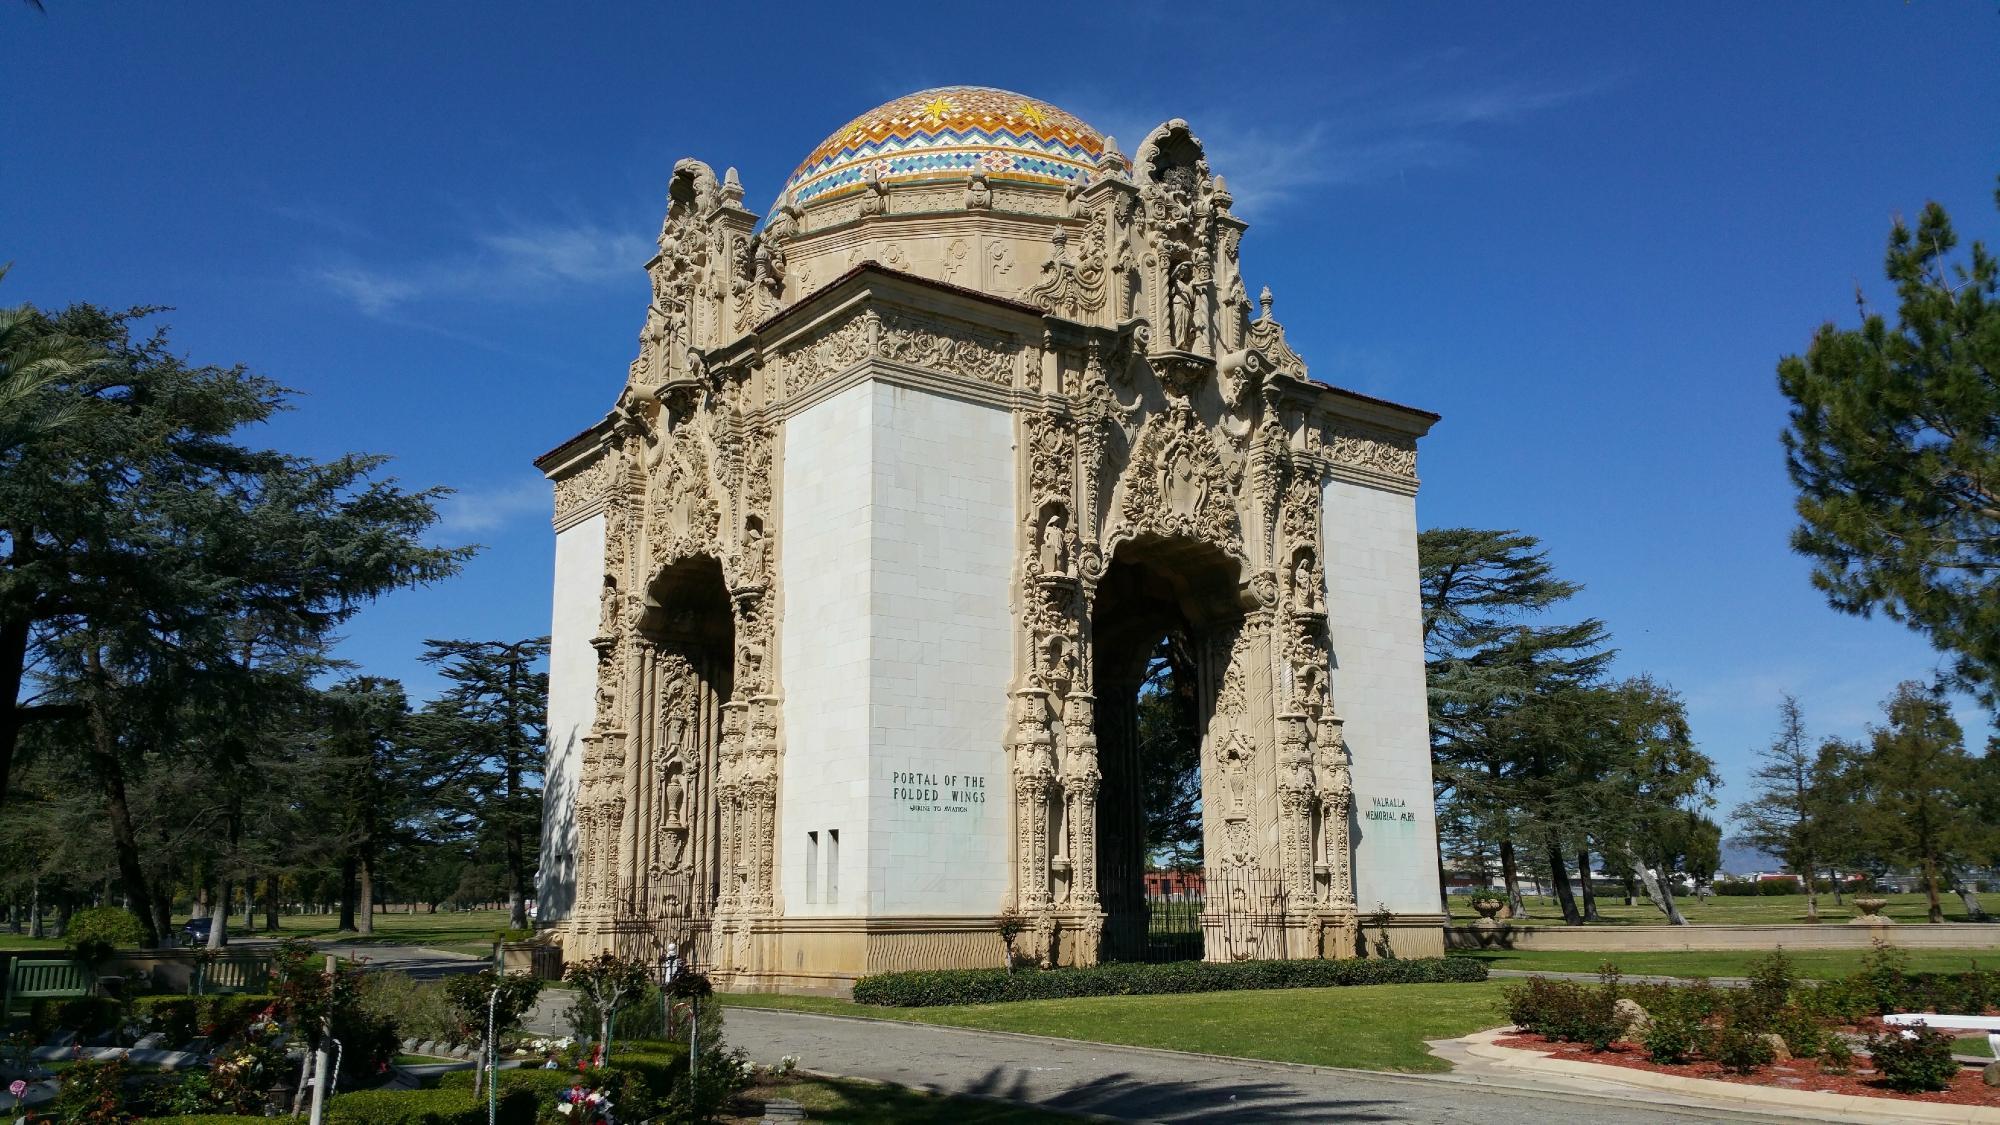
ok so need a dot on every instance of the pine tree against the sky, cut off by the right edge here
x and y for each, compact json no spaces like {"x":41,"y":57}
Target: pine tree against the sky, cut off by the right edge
{"x":1895,"y":449}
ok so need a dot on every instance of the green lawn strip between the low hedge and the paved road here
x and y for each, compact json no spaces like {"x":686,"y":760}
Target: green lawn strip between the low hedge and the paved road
{"x":1379,"y":1028}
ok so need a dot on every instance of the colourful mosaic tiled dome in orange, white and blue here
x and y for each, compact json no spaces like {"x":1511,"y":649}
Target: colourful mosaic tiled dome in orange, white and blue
{"x":945,"y":135}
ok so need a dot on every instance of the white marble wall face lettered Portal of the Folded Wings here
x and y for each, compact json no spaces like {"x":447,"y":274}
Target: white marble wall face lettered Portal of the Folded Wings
{"x":943,"y":555}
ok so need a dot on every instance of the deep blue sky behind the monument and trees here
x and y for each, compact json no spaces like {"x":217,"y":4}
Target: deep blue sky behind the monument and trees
{"x":1581,"y":233}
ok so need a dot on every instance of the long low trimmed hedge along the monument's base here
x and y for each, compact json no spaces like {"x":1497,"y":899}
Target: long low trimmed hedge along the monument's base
{"x":1123,"y":980}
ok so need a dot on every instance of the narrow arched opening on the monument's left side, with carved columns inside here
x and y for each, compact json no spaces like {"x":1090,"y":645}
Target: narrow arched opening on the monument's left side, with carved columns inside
{"x":687,"y":660}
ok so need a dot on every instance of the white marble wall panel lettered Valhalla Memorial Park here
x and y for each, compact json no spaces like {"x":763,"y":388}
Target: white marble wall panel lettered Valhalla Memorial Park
{"x":1377,"y":628}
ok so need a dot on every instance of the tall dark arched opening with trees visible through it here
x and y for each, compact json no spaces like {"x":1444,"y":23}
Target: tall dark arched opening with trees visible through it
{"x":1155,"y":626}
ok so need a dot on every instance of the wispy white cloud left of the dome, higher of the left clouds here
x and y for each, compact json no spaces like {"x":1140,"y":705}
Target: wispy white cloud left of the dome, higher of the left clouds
{"x":521,"y":263}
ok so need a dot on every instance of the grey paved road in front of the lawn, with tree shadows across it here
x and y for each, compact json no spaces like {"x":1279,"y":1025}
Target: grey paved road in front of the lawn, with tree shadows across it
{"x":1159,"y":1086}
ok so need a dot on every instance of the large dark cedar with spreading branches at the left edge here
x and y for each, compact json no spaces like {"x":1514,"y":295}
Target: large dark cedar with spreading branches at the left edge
{"x":155,"y":570}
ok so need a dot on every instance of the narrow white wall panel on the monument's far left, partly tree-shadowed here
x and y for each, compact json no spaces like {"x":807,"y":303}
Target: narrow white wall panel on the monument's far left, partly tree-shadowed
{"x":573,"y":688}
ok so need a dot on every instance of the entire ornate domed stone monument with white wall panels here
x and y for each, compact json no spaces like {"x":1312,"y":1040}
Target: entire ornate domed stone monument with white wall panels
{"x":857,"y":580}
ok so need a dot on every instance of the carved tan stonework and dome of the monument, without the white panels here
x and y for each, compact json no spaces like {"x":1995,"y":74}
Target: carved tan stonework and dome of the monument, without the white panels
{"x":1165,"y":439}
